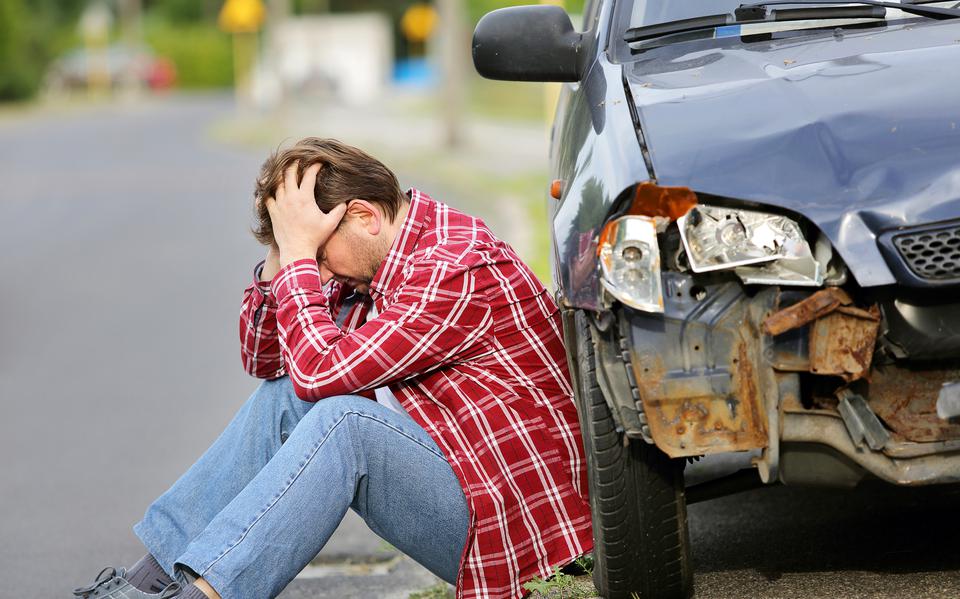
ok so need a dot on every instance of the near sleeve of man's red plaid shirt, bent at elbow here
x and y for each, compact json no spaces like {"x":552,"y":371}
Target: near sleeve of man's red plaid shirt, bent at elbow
{"x":435,"y":318}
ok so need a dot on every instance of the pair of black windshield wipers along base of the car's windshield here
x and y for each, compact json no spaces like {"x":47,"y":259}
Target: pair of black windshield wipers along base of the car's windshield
{"x":749,"y":14}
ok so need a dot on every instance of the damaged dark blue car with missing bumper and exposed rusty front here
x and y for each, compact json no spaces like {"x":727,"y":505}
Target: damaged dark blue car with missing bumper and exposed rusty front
{"x":756,"y":231}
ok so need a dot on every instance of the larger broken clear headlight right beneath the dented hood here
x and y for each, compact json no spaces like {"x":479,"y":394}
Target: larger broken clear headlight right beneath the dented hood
{"x":760,"y":247}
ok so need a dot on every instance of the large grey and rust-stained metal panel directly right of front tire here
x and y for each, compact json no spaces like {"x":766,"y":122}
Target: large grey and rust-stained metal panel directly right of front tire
{"x":698,"y":368}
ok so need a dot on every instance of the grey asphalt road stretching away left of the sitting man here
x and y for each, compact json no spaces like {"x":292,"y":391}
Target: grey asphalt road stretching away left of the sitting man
{"x":124,"y":249}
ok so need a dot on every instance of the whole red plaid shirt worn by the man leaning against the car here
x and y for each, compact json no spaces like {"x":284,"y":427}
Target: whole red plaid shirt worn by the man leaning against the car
{"x":469,"y":341}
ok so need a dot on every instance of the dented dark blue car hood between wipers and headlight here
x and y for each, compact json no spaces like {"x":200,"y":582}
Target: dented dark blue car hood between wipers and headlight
{"x":858,"y":131}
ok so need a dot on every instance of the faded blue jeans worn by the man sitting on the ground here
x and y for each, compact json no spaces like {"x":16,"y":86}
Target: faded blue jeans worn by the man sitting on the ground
{"x":266,"y":496}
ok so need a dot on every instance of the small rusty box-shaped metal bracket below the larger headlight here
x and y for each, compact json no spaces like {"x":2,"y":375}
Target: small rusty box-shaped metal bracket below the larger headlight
{"x":841,"y":343}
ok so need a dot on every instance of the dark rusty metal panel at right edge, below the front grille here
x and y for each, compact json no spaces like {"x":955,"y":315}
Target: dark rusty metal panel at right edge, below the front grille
{"x":906,"y":400}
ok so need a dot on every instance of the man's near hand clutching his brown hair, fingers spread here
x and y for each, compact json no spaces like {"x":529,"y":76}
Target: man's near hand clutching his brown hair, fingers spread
{"x":299,"y":226}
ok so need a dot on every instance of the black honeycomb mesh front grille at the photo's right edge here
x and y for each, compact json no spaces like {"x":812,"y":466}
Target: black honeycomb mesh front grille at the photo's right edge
{"x":932,"y":253}
